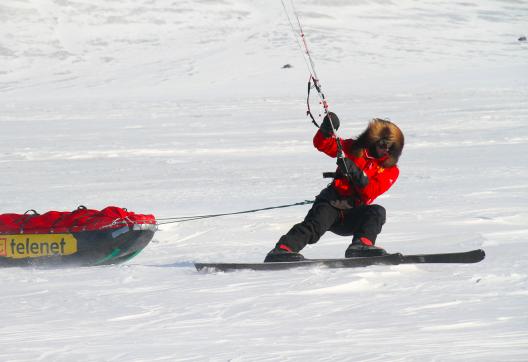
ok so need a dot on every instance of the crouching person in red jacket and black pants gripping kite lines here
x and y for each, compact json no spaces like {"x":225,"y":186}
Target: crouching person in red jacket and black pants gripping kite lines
{"x":367,"y":170}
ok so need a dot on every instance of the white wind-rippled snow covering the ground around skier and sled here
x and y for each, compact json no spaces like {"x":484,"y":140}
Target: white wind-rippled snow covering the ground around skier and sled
{"x":182,"y":107}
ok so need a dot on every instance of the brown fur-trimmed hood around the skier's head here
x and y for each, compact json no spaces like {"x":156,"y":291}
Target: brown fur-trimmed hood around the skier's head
{"x":381,"y":129}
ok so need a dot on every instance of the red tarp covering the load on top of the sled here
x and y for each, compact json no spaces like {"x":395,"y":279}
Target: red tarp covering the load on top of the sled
{"x":82,"y":219}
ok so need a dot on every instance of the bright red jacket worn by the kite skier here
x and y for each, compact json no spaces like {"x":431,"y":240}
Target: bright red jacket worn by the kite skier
{"x":380,"y":179}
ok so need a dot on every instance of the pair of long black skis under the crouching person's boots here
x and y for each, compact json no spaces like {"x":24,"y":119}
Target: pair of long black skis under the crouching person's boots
{"x":473,"y":256}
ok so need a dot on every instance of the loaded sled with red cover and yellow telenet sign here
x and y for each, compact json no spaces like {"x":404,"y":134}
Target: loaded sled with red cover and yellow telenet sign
{"x":82,"y":237}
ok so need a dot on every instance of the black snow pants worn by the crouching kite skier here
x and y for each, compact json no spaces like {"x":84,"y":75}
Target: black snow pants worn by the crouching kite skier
{"x":362,"y":221}
